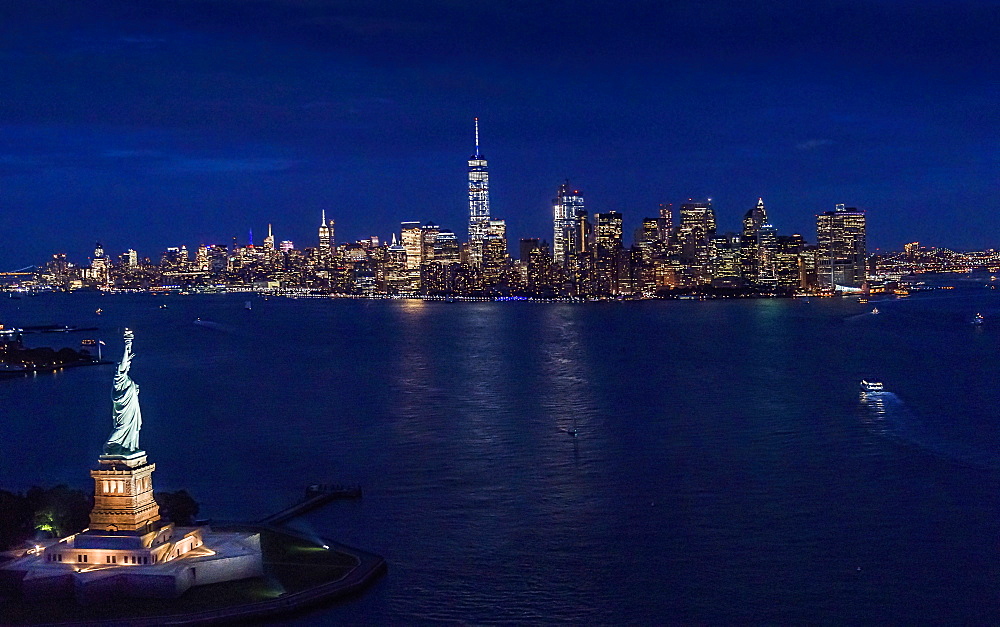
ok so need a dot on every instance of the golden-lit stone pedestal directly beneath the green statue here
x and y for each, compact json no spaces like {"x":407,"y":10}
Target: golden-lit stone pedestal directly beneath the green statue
{"x":123,"y":494}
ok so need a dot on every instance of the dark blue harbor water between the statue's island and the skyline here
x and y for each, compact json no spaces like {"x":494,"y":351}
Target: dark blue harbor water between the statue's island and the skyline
{"x":657,"y":461}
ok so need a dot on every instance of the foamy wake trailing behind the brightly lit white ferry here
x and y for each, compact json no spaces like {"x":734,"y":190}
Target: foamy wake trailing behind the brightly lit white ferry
{"x":886,"y":414}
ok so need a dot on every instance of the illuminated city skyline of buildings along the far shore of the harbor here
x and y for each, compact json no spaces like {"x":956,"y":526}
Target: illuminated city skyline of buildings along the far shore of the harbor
{"x":676,"y":250}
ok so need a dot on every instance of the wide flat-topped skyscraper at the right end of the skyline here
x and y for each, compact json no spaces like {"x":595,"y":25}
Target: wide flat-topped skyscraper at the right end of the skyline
{"x":840,"y":237}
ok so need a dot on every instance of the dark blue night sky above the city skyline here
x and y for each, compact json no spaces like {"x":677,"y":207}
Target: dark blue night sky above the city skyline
{"x":153,"y":124}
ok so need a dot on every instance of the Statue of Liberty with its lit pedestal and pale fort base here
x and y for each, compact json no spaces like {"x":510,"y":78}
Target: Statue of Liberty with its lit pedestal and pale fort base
{"x":127,"y":550}
